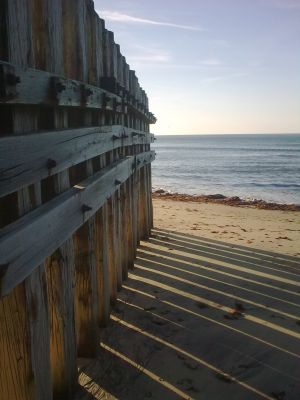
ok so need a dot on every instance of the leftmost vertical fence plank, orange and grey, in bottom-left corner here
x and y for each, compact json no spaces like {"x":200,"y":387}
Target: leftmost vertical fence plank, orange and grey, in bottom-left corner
{"x":24,"y":327}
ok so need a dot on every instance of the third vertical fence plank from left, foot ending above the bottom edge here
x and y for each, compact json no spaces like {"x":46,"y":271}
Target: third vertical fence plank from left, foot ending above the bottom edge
{"x":85,"y":238}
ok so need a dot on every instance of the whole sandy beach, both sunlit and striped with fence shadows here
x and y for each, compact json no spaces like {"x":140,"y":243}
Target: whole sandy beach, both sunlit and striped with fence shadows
{"x":211,"y":310}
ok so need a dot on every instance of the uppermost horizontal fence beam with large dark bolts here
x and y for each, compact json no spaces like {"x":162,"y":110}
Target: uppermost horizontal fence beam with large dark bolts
{"x":35,"y":87}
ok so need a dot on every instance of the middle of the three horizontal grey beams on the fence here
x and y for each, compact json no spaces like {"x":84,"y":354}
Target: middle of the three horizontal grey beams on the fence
{"x":25,"y":159}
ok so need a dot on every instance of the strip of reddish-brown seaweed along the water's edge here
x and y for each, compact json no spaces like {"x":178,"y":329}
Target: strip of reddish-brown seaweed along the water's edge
{"x":233,"y":201}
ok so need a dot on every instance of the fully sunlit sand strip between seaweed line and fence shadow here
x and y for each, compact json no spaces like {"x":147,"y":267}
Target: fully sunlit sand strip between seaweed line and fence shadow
{"x":273,"y":230}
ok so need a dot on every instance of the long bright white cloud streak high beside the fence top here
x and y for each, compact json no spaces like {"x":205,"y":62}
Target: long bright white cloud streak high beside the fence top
{"x":129,"y":19}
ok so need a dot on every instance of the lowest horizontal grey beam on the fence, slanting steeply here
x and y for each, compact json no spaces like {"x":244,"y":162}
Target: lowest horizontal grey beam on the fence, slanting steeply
{"x":25,"y":243}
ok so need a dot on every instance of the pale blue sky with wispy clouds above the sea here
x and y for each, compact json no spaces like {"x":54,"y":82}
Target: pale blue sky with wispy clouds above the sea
{"x":213,"y":66}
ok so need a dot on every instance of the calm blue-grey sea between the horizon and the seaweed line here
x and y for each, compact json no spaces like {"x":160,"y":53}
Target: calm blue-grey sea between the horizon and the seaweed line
{"x":250,"y":166}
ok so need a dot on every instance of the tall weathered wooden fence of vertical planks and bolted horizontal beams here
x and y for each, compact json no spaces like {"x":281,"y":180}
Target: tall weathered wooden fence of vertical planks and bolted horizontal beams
{"x":75,"y":189}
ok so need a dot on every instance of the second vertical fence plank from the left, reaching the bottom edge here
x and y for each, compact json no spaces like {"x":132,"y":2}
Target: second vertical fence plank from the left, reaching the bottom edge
{"x":60,"y":266}
